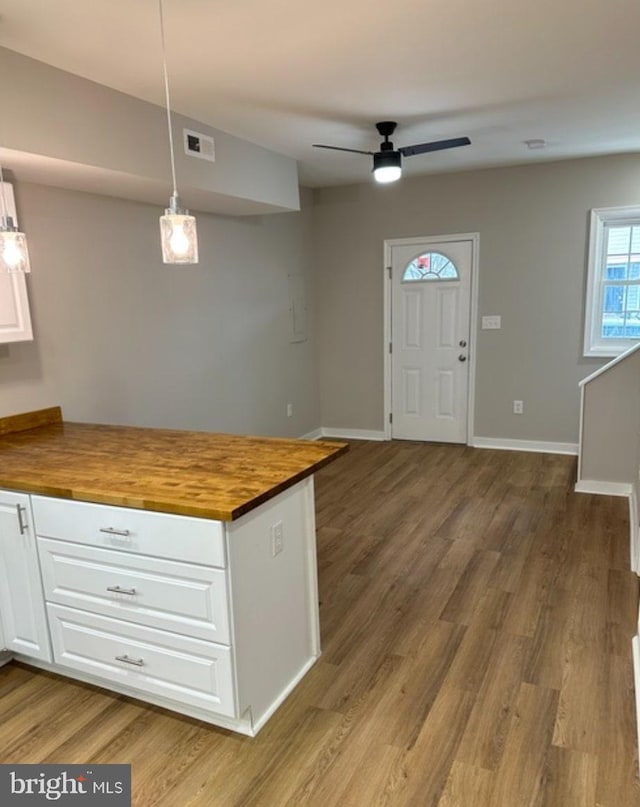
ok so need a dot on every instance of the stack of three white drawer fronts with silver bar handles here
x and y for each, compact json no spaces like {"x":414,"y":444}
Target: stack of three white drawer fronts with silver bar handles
{"x":126,"y":601}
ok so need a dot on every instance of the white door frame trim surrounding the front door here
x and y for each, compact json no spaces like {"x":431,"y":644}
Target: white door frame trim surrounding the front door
{"x":389,"y":243}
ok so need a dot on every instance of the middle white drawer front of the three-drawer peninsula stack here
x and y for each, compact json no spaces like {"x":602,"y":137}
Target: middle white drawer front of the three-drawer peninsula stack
{"x":159,"y":593}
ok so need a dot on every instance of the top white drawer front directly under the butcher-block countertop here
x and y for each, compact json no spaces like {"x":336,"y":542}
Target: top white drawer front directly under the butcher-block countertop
{"x":194,"y":540}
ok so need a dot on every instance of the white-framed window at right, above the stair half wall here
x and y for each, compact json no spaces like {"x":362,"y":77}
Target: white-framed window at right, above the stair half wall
{"x":612,"y":320}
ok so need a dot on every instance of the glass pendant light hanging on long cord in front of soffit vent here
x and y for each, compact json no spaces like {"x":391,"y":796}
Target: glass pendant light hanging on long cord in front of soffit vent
{"x":178,"y":234}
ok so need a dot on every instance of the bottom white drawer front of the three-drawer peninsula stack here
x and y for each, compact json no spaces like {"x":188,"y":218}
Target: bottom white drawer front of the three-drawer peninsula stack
{"x":177,"y":667}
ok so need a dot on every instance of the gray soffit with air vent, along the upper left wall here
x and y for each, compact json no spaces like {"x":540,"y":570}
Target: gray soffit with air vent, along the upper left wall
{"x":62,"y":125}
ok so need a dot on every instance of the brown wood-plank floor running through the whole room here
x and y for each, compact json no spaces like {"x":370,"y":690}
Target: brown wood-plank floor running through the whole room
{"x":476,"y":620}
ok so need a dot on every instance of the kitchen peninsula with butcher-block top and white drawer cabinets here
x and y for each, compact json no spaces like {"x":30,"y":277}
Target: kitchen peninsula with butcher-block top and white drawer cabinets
{"x":177,"y":567}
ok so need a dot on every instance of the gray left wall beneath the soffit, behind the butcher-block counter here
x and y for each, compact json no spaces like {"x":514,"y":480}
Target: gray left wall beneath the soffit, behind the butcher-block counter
{"x":121,"y":338}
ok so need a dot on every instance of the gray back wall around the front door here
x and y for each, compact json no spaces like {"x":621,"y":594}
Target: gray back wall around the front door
{"x":533,"y":223}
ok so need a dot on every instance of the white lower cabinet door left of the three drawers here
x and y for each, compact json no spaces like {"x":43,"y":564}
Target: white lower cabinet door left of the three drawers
{"x":21,"y":599}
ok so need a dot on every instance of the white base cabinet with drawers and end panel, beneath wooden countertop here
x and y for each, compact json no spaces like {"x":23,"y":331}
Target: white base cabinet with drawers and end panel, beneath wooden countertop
{"x":200,"y":616}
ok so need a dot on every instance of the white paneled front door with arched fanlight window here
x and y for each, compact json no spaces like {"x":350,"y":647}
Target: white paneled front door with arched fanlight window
{"x":430,"y":332}
